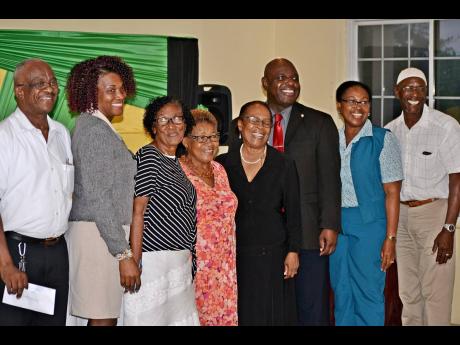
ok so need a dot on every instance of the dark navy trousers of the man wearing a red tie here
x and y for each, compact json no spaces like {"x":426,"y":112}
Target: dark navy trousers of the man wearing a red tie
{"x":313,"y":289}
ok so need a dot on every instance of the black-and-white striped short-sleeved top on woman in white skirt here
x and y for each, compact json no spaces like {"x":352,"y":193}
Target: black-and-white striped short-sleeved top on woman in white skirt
{"x":170,"y":217}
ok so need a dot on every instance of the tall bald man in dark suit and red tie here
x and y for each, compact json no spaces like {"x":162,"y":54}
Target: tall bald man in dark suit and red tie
{"x":310,"y":138}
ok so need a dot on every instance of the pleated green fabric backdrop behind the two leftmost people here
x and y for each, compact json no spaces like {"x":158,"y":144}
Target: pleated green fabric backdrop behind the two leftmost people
{"x":147,"y":55}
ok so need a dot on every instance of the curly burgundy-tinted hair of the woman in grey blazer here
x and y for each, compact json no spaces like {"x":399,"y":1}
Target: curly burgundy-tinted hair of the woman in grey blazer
{"x":82,"y":82}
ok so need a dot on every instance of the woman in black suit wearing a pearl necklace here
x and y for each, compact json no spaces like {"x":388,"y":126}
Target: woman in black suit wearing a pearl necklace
{"x":267,"y":221}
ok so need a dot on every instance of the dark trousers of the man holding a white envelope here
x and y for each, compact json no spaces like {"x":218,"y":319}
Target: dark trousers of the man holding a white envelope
{"x":47,"y":266}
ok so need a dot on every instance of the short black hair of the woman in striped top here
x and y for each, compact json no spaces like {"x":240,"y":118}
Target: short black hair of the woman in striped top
{"x":152,"y":109}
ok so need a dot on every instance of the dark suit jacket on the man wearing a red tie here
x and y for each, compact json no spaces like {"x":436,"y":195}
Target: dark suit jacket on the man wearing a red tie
{"x":312,"y":141}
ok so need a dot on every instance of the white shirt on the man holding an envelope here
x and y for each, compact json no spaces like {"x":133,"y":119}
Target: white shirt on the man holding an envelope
{"x":36,"y":177}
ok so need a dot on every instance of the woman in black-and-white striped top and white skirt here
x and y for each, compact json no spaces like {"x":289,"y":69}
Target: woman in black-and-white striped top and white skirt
{"x":163,"y":231}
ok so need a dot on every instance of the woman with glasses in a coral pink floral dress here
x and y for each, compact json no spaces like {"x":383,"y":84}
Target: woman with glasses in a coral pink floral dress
{"x":215,"y":281}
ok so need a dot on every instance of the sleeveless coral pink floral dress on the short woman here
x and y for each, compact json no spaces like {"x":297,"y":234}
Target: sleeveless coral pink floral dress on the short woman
{"x":215,"y":280}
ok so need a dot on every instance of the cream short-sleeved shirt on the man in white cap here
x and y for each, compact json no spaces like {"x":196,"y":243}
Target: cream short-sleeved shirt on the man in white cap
{"x":430,"y":152}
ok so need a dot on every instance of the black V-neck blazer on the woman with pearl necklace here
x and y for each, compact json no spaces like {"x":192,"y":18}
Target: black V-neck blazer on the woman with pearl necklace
{"x":268,"y":211}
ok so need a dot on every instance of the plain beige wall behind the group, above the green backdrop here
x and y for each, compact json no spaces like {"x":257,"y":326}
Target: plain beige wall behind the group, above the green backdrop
{"x":233,"y":52}
